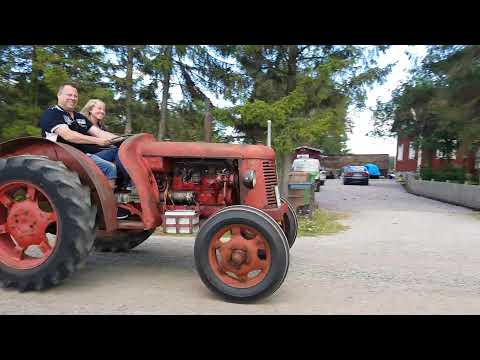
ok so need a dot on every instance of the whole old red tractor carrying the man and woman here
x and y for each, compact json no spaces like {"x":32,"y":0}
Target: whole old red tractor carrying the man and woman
{"x":56,"y":206}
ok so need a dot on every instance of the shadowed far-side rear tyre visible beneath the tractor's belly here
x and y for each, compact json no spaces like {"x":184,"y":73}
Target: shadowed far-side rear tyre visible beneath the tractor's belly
{"x":121,"y":241}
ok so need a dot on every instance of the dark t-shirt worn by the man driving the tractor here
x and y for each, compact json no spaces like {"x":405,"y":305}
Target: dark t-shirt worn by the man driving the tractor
{"x":56,"y":117}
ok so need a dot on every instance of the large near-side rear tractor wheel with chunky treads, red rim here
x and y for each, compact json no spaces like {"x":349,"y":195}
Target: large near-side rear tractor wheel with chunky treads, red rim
{"x":47,"y":222}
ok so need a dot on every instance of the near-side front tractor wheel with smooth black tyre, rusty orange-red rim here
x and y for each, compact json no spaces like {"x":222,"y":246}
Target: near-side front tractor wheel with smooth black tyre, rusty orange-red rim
{"x":241,"y":254}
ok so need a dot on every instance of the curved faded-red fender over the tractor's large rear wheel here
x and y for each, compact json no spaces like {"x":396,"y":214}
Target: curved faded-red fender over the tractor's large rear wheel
{"x":75,"y":160}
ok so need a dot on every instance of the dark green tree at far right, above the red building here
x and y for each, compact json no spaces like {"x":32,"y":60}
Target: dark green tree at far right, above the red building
{"x":439,"y":104}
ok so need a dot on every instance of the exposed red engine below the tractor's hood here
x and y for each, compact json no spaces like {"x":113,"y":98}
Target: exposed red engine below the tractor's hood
{"x":204,"y":184}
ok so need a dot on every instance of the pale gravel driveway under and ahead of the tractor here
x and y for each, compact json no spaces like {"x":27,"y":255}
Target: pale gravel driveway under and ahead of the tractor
{"x":402,"y":255}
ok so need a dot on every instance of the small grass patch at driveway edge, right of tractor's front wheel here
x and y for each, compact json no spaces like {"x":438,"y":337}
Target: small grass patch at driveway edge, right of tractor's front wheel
{"x":323,"y":222}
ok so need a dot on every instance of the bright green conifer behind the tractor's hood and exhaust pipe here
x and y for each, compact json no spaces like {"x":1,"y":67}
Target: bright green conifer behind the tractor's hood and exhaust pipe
{"x":304,"y":90}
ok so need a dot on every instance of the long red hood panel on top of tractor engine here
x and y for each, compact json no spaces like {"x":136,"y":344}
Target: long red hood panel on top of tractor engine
{"x":148,"y":146}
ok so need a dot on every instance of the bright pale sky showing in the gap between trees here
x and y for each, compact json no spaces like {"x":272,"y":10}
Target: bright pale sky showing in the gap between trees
{"x":359,"y":142}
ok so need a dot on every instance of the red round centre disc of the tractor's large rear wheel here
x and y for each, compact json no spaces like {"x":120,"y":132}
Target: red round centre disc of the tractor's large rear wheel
{"x":25,"y":223}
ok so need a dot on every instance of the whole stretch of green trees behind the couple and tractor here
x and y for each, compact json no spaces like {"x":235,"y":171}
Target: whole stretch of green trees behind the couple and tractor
{"x":305,"y":90}
